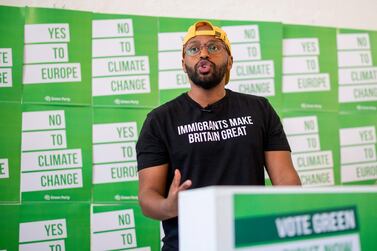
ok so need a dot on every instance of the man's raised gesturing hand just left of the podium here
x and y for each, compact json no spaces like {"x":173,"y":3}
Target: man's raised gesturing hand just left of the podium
{"x":171,"y":202}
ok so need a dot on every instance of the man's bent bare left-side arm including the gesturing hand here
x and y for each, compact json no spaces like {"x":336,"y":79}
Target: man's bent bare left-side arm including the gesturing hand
{"x":152,"y":182}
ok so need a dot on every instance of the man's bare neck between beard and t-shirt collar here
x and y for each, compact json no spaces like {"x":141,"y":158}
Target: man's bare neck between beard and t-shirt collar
{"x":206,"y":97}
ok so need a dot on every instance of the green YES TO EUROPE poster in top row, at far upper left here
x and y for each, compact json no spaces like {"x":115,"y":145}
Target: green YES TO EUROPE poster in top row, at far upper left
{"x":57,"y":66}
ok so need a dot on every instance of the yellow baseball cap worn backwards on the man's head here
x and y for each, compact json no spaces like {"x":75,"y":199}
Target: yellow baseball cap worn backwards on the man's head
{"x":215,"y":31}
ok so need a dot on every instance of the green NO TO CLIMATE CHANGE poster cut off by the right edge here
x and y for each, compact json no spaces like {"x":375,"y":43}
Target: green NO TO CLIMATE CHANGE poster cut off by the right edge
{"x":357,"y":69}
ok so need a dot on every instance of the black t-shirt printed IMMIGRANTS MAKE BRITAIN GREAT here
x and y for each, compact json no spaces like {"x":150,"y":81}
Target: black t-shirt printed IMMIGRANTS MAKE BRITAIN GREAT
{"x":222,"y":144}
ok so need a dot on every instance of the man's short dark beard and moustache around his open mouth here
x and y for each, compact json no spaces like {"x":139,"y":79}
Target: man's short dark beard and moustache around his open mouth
{"x":207,"y":81}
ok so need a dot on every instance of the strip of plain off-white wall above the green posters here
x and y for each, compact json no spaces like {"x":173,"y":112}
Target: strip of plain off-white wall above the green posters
{"x":358,"y":14}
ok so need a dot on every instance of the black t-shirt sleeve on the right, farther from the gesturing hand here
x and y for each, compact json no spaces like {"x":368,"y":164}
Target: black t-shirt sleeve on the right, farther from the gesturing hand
{"x":276,"y":140}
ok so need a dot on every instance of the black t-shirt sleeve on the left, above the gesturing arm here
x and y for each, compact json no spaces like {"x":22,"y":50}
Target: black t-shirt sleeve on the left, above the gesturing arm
{"x":150,"y":148}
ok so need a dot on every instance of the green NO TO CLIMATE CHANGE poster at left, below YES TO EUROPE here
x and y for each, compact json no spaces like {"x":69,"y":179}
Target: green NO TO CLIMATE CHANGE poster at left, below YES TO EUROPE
{"x":56,"y":159}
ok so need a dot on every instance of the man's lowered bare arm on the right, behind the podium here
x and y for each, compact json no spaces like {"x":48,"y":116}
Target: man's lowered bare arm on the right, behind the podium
{"x":280,"y":168}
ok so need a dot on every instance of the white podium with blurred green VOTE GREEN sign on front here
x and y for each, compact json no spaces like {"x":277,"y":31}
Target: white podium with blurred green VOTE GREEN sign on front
{"x":278,"y":218}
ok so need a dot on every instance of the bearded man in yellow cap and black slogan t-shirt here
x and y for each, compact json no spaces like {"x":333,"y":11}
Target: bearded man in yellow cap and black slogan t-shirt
{"x":208,"y":136}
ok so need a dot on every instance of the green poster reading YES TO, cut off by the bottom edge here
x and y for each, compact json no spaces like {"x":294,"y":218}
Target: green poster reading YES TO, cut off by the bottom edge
{"x":54,"y":226}
